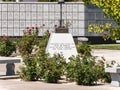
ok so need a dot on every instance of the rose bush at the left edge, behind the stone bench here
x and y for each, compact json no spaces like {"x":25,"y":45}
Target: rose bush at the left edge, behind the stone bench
{"x":7,"y":46}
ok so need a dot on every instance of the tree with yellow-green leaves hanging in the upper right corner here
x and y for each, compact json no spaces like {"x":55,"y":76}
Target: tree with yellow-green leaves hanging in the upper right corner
{"x":111,"y":9}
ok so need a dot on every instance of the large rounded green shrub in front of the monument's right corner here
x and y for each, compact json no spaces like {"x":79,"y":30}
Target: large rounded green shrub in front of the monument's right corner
{"x":85,"y":72}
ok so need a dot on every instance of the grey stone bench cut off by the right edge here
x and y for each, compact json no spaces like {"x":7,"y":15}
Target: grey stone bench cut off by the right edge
{"x":115,"y":75}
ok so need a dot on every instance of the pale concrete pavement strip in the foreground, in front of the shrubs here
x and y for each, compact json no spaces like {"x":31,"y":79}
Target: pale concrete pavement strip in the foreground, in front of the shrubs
{"x":16,"y":84}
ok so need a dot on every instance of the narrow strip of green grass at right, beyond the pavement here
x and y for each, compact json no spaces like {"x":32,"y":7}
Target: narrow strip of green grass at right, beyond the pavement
{"x":106,"y":46}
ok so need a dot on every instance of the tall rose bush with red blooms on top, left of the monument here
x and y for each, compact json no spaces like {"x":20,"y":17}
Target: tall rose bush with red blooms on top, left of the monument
{"x":33,"y":53}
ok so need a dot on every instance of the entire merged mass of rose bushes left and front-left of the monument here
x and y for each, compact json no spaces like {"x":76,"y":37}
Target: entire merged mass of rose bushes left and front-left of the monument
{"x":38,"y":64}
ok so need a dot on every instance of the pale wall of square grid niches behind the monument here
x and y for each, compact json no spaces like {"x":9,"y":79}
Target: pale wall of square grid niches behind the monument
{"x":15,"y":17}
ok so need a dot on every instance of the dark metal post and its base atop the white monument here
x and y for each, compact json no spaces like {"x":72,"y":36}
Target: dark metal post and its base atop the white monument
{"x":61,"y":28}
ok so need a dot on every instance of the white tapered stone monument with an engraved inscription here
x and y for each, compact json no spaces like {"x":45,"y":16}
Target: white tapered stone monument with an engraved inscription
{"x":61,"y":43}
